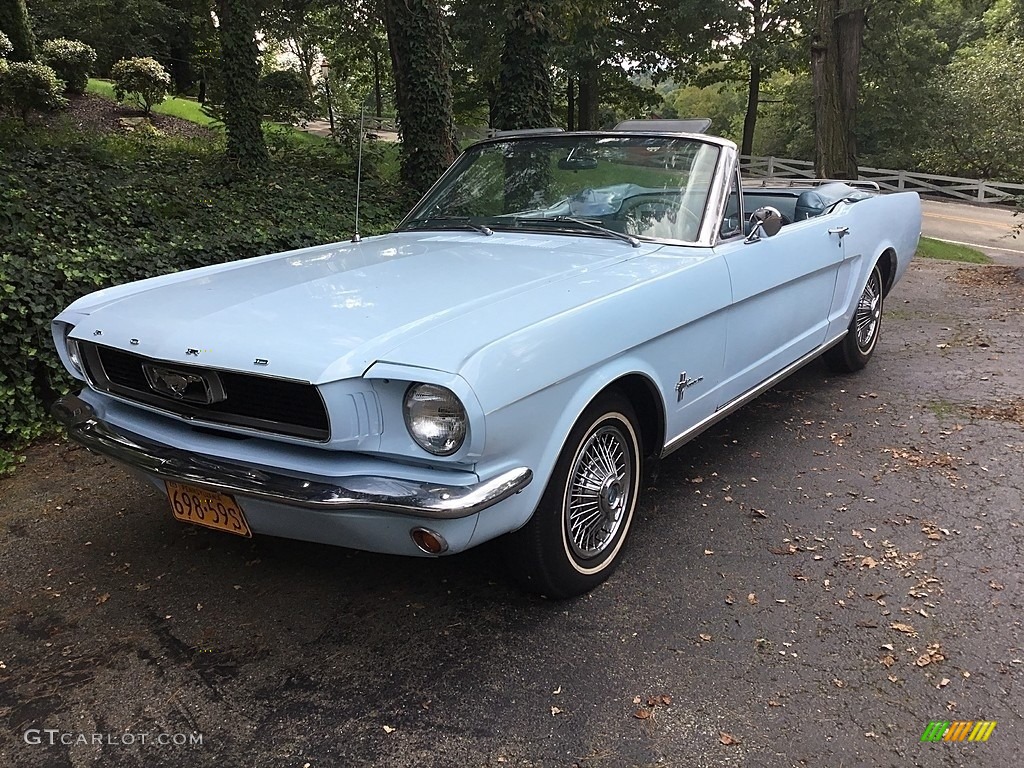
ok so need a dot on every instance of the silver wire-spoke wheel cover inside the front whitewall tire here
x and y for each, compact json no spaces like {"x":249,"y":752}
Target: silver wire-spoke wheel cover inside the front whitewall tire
{"x":600,"y":492}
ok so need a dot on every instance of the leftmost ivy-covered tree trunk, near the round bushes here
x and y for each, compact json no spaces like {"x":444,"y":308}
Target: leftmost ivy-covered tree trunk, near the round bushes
{"x":240,"y":65}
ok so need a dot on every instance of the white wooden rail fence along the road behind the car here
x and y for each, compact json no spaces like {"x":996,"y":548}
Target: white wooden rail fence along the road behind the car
{"x":975,"y":191}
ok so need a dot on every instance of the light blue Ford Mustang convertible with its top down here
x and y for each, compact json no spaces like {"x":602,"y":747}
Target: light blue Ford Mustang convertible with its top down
{"x":560,"y":309}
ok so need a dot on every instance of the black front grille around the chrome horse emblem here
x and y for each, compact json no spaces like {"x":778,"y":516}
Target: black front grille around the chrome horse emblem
{"x":287,"y":408}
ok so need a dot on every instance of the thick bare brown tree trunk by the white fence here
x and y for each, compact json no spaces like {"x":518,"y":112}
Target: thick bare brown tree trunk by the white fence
{"x":836,"y":49}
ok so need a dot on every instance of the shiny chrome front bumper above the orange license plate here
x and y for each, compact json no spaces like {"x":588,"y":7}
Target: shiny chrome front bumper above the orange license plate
{"x":359,"y":492}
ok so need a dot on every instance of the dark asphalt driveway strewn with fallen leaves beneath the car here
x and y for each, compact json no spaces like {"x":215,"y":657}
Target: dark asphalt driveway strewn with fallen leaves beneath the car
{"x":809,"y":584}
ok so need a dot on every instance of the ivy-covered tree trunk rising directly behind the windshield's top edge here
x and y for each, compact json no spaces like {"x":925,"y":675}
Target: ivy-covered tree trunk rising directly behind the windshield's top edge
{"x":525,"y":92}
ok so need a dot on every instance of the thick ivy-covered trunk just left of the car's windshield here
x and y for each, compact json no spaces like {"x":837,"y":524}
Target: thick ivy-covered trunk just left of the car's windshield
{"x":420,"y":48}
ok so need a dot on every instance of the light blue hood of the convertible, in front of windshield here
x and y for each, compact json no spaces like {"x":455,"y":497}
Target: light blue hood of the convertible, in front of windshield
{"x":331,"y":312}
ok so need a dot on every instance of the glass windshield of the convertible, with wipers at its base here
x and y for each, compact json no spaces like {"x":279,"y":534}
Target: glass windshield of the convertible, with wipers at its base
{"x":649,"y":188}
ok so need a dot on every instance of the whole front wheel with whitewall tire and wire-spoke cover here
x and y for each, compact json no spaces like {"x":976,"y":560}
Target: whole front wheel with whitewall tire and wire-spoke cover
{"x":575,"y":539}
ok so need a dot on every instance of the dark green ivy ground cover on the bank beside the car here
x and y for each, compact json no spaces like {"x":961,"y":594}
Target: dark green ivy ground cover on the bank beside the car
{"x":80,"y":212}
